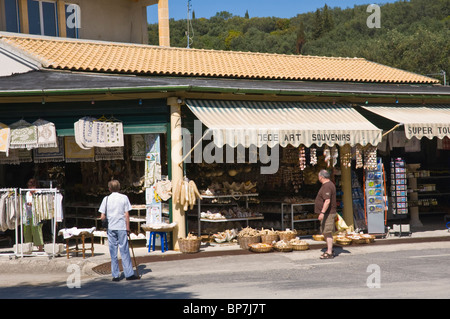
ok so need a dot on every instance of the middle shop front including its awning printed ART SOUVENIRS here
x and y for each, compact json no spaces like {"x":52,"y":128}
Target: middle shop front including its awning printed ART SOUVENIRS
{"x":256,"y":163}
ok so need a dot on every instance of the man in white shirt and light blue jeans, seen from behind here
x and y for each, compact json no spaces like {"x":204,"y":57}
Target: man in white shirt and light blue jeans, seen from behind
{"x":115,"y":208}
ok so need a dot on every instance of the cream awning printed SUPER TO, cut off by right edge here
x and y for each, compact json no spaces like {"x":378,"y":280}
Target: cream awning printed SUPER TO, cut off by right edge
{"x":419,"y":121}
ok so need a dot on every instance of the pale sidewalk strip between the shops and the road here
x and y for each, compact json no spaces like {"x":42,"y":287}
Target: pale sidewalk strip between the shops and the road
{"x":98,"y":264}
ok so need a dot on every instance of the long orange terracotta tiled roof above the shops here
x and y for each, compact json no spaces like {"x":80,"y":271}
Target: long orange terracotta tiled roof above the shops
{"x":110,"y":57}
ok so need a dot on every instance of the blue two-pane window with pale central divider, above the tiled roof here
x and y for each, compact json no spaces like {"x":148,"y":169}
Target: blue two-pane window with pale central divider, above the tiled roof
{"x":42,"y":18}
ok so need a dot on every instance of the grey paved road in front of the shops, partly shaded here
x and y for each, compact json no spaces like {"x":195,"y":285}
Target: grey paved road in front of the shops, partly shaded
{"x":400,"y":271}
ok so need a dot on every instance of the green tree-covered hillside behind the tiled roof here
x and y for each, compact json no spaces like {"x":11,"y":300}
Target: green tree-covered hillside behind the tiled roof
{"x":414,"y":35}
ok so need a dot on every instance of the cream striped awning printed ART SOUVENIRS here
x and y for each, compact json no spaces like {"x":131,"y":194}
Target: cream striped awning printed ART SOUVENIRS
{"x":259,"y":123}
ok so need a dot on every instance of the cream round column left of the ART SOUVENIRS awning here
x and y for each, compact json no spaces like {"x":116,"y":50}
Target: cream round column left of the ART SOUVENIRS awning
{"x":178,"y":214}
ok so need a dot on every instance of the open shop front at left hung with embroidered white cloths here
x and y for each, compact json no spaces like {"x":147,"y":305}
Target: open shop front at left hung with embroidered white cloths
{"x":74,"y":149}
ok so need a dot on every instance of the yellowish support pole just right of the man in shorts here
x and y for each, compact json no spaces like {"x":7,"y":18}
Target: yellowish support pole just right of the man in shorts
{"x":346,"y":181}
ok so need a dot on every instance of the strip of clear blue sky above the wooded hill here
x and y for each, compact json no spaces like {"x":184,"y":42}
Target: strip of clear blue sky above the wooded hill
{"x":256,"y":8}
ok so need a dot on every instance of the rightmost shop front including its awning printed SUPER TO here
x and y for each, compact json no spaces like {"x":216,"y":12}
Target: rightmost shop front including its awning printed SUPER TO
{"x":416,"y":153}
